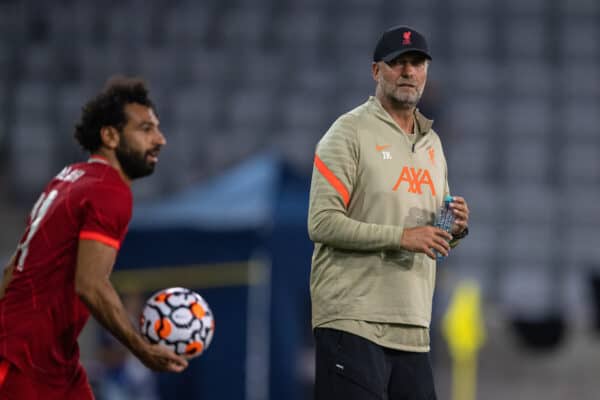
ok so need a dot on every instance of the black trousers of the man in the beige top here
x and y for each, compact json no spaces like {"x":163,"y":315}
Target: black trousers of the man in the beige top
{"x":349,"y":367}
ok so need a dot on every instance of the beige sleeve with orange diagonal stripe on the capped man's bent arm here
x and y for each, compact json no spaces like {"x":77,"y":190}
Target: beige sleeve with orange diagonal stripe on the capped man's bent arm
{"x":332,"y":186}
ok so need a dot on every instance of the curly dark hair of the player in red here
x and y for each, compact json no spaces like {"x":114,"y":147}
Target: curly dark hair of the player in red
{"x":108,"y":109}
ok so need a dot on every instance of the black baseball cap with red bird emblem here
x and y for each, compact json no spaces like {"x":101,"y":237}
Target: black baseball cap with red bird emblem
{"x":399,"y":40}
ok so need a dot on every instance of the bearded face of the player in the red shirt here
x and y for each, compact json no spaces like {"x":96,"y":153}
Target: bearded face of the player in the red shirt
{"x":140,"y":141}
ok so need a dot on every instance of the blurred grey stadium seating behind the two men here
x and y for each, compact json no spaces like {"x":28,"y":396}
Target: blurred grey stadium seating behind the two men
{"x":516,"y":98}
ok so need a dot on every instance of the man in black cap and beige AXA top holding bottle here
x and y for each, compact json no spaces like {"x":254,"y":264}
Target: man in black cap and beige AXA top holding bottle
{"x":379,"y":178}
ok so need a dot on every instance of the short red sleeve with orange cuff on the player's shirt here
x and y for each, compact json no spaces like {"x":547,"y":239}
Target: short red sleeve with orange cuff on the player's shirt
{"x":106,"y":214}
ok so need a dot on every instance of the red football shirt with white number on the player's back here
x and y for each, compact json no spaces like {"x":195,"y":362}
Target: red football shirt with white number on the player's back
{"x":41,"y":316}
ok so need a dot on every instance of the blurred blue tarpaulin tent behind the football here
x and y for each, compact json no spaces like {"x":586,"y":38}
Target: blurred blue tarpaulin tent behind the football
{"x":258,"y":207}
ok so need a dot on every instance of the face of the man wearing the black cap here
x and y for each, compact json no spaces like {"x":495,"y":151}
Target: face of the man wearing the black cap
{"x":402,"y":80}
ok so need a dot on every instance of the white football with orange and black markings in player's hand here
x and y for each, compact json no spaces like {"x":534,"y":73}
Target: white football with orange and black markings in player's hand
{"x":179,"y":319}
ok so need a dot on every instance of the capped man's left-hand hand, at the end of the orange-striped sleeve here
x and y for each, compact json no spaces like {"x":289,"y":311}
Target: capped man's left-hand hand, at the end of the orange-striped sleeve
{"x":426,"y":239}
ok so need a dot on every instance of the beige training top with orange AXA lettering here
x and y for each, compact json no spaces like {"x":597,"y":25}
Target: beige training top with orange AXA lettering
{"x":370,"y":181}
